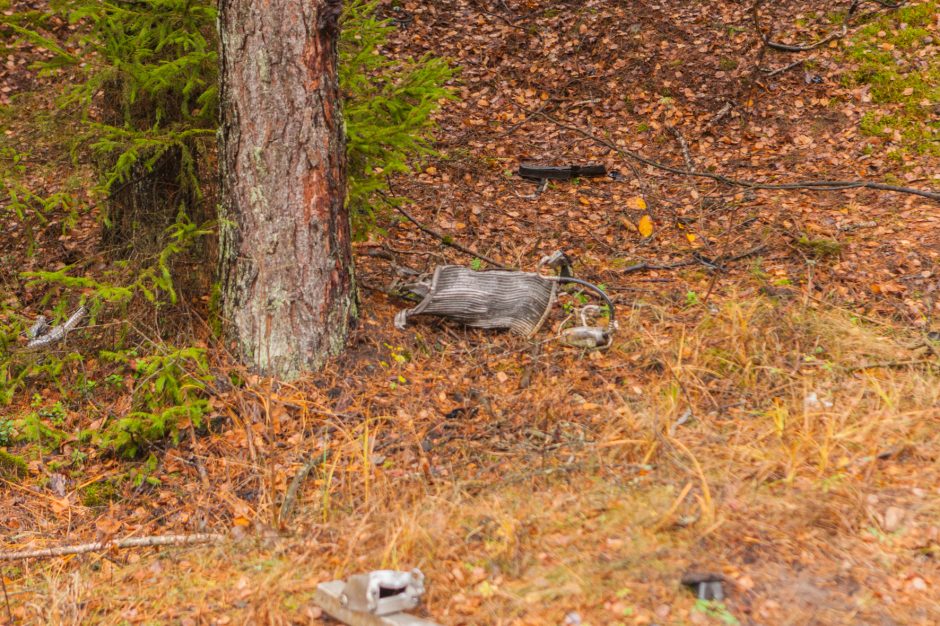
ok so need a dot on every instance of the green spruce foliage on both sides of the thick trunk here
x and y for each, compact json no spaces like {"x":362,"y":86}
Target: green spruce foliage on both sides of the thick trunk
{"x":141,"y":77}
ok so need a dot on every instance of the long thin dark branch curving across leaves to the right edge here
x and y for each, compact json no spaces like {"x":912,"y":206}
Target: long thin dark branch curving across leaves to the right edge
{"x":809,"y":185}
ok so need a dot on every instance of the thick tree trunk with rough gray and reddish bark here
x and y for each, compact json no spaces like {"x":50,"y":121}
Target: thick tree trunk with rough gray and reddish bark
{"x":286,"y":265}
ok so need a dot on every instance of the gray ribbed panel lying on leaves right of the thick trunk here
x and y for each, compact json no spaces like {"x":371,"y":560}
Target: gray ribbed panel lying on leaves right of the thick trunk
{"x":518,"y":301}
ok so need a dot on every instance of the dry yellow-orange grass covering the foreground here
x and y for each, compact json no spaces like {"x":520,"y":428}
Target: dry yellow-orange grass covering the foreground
{"x":809,"y":484}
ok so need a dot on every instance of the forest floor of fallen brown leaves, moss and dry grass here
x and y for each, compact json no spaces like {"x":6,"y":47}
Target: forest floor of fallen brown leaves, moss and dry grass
{"x":769,"y":411}
